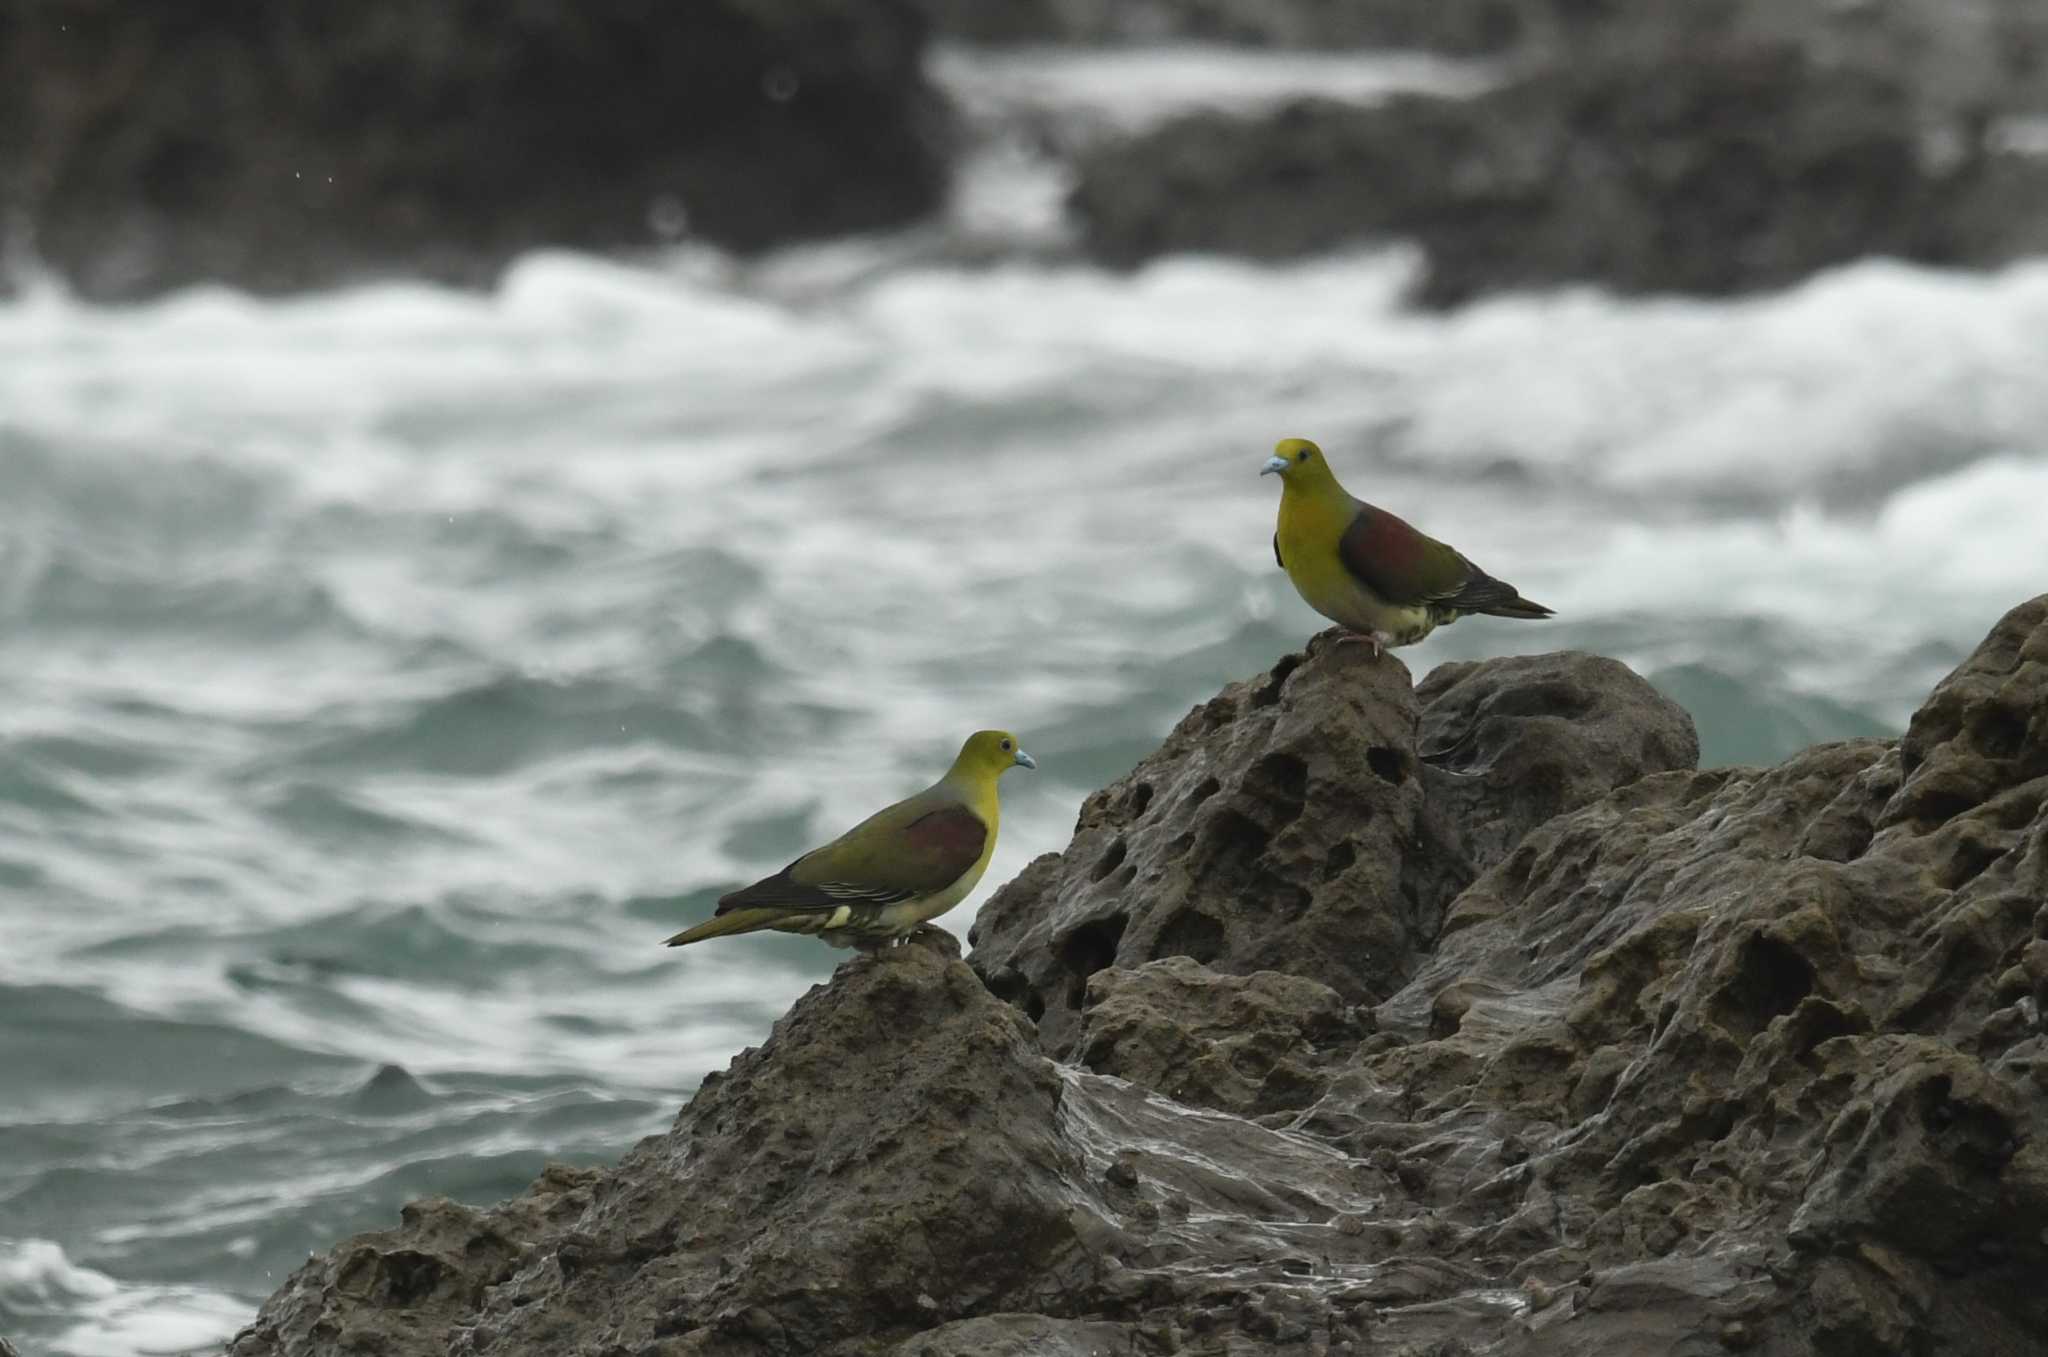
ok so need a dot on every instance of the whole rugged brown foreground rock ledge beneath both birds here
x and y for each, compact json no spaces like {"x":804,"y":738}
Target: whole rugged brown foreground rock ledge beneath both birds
{"x":1367,"y":1018}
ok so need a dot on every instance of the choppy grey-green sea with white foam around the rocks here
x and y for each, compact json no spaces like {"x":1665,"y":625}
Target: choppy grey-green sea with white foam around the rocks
{"x":386,"y":672}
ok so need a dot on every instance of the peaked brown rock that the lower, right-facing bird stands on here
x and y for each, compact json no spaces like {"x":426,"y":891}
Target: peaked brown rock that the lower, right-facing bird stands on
{"x":818,"y":1192}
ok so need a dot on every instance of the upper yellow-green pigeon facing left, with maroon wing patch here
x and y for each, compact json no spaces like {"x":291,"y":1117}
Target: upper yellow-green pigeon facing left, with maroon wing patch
{"x":1369,"y":570}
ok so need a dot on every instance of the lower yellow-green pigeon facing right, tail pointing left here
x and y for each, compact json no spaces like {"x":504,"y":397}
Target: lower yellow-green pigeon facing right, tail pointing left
{"x":894,"y":871}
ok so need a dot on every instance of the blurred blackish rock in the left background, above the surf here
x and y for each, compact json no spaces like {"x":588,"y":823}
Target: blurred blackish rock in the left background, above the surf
{"x":290,"y":146}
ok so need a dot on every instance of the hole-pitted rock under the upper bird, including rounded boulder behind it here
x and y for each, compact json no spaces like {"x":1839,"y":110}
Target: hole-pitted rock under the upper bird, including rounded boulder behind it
{"x":1205,"y":848}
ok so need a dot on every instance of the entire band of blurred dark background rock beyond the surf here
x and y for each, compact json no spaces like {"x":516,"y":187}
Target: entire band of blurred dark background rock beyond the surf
{"x":1695,"y":146}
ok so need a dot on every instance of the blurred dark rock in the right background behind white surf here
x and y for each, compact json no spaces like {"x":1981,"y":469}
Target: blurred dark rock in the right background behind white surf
{"x":1695,"y":148}
